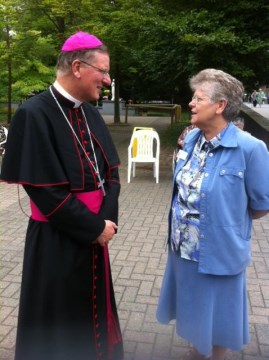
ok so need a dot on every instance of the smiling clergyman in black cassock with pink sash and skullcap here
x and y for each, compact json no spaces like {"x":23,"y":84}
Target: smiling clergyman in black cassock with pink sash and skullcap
{"x":61,"y":152}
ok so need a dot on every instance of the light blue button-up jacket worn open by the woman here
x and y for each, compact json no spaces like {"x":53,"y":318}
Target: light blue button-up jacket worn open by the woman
{"x":236,"y":181}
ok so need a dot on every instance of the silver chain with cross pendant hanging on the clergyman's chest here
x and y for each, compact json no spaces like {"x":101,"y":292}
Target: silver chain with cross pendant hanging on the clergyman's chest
{"x":95,"y":168}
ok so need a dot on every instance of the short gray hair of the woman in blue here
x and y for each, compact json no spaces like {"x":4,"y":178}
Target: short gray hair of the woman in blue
{"x":219,"y":85}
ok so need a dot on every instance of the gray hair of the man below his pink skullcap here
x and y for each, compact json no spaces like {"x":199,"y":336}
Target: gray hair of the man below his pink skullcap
{"x":65,"y":59}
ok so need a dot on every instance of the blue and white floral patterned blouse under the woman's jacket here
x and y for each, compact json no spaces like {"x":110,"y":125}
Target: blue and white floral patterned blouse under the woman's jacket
{"x":186,"y":202}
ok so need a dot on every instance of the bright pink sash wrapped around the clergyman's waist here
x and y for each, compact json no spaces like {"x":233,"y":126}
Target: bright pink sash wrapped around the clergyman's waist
{"x":92,"y":199}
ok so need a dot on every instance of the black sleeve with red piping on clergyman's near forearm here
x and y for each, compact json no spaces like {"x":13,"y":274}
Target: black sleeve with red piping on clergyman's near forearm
{"x":66,"y":213}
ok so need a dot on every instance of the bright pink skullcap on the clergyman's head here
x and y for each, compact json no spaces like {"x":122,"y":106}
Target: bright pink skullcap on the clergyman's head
{"x":81,"y":41}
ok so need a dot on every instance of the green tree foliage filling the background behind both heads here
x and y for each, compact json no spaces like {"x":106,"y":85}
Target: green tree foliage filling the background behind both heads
{"x":155,"y":45}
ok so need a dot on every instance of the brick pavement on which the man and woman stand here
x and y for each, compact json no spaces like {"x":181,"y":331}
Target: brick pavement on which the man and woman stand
{"x":138,"y":259}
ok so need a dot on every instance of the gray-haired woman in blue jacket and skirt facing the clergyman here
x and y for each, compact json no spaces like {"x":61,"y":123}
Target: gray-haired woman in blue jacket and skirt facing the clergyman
{"x":215,"y":197}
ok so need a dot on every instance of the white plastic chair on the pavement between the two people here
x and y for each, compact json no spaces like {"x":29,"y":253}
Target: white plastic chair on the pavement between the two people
{"x":144,"y":148}
